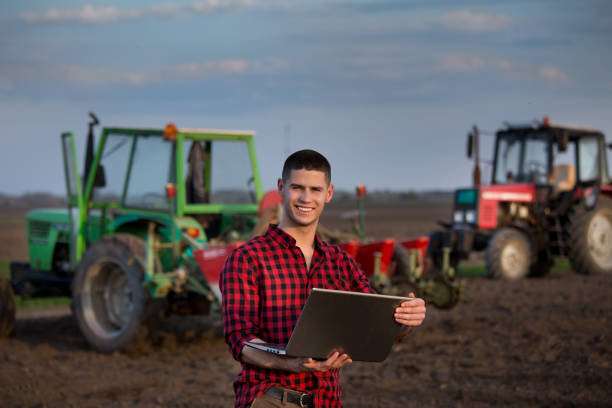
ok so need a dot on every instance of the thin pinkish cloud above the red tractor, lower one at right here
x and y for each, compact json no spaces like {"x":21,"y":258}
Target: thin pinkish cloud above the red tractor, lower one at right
{"x":474,"y":63}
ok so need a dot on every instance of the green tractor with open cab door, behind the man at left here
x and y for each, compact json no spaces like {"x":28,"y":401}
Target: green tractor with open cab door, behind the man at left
{"x":146,"y":231}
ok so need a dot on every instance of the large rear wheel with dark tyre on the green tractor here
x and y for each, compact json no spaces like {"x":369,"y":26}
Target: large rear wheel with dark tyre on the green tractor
{"x":113,"y":309}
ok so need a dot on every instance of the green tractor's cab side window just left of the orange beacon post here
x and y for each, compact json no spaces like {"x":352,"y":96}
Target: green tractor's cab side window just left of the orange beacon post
{"x":151,"y":170}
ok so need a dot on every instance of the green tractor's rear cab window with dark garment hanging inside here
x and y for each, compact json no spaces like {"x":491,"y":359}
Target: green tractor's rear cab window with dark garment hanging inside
{"x":218,"y":172}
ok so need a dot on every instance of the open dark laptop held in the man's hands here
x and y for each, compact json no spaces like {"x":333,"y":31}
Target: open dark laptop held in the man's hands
{"x":361,"y":325}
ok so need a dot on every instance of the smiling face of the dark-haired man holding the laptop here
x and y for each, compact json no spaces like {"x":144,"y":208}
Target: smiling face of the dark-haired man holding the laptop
{"x":305,"y":194}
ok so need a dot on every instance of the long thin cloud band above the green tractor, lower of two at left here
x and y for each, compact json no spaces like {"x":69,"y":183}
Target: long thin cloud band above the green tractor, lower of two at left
{"x":108,"y":76}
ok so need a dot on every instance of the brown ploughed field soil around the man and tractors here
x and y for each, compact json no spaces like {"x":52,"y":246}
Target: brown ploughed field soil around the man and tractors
{"x":532,"y":343}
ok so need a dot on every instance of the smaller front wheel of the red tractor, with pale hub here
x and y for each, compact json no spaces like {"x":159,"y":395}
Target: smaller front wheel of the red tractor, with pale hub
{"x":508,"y":254}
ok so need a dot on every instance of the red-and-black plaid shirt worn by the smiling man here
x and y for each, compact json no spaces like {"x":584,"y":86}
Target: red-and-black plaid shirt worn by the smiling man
{"x":265,"y":284}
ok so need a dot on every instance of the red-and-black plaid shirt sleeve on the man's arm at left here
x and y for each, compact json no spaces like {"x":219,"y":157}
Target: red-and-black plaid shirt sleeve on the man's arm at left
{"x":240,"y":301}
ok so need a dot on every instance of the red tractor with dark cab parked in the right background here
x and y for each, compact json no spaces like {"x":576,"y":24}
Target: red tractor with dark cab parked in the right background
{"x":550,"y":197}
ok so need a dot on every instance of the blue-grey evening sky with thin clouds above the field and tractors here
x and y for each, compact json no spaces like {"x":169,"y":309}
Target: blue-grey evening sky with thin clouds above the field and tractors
{"x":387,"y":90}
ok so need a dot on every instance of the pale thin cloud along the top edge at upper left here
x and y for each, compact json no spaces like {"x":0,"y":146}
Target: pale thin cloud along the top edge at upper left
{"x":89,"y":14}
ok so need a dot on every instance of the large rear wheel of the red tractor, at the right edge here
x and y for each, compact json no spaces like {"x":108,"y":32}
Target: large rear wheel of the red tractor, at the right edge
{"x":590,"y":238}
